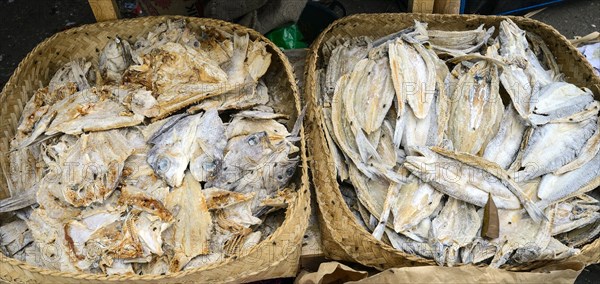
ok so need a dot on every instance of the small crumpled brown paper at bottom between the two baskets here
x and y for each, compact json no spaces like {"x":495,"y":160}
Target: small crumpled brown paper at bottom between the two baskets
{"x":331,"y":272}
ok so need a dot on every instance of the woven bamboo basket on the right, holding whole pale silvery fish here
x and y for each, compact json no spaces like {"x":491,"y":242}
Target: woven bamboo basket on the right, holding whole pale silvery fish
{"x":343,"y":238}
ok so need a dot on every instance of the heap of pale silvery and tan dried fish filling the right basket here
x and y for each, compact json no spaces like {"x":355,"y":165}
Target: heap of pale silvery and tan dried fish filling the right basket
{"x":442,"y":164}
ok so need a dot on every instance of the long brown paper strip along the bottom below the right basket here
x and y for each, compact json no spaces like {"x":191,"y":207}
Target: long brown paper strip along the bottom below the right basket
{"x":562,"y":273}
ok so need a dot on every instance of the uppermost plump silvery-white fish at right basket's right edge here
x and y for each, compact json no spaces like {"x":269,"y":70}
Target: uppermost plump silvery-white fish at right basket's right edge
{"x":557,"y":100}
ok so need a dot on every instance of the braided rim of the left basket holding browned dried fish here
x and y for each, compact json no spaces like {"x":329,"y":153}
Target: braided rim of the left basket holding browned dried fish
{"x":293,"y":209}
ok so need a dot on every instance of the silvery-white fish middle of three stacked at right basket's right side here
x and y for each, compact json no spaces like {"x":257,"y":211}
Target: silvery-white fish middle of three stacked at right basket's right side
{"x":552,"y":146}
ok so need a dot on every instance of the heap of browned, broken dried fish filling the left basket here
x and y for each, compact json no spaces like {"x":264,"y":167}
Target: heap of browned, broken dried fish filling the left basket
{"x":165,"y":155}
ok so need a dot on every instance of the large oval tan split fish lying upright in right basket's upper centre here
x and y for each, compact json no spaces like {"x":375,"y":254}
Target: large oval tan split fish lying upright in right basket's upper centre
{"x":475,"y":108}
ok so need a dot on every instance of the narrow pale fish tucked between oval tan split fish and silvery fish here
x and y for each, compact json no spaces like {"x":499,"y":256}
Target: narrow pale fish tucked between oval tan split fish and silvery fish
{"x":503,"y":148}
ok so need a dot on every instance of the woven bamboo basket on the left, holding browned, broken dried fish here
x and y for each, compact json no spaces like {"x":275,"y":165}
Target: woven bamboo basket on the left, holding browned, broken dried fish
{"x":276,"y":256}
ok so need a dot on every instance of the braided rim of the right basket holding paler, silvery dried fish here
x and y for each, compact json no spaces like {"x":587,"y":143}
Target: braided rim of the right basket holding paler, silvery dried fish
{"x":310,"y":90}
